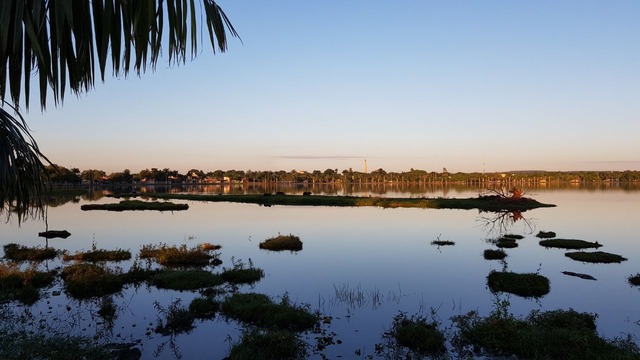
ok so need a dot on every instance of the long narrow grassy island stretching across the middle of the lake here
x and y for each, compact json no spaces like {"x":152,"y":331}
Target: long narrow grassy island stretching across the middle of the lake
{"x":484,"y":203}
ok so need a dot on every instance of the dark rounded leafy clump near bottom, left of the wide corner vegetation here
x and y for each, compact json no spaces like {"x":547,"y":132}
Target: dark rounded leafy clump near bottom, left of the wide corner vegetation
{"x":418,"y":335}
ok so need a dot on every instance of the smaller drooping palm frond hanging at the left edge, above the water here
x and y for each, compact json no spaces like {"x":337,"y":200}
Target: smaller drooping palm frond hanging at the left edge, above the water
{"x":23,"y":181}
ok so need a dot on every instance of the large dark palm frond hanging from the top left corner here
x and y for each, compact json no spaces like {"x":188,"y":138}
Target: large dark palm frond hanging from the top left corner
{"x":64,"y":41}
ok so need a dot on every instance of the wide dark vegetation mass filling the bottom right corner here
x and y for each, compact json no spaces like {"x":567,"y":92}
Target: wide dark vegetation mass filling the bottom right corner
{"x":559,"y":334}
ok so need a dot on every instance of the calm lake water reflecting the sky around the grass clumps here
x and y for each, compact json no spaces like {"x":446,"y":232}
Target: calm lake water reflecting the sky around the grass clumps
{"x":382,"y":257}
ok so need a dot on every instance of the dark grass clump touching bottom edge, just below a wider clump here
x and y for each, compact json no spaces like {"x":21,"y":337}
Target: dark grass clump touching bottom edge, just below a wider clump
{"x":269,"y":344}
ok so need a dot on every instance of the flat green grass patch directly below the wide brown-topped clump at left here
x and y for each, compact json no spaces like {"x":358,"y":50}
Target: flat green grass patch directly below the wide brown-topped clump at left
{"x":185,"y":279}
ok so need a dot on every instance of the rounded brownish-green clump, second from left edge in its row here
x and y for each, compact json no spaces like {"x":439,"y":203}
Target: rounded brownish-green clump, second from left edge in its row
{"x":83,"y":281}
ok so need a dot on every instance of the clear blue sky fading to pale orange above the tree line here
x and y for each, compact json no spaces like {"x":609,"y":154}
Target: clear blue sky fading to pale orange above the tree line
{"x":466,"y":85}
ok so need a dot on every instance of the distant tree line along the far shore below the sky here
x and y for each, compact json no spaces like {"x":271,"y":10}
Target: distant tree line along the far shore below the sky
{"x":61,"y":175}
